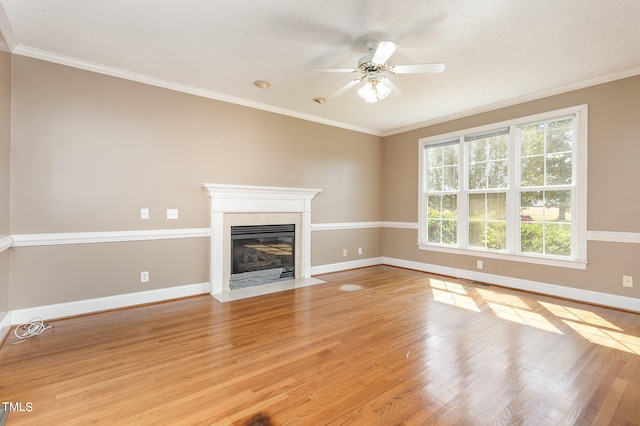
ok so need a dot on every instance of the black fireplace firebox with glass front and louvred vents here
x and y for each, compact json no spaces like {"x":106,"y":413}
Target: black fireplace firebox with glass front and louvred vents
{"x":261,"y":254}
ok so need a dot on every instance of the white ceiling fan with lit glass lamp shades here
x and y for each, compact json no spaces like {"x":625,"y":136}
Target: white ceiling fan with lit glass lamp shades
{"x":373,"y":68}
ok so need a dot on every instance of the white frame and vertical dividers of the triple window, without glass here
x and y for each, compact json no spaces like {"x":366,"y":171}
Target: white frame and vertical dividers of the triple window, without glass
{"x":578,"y":200}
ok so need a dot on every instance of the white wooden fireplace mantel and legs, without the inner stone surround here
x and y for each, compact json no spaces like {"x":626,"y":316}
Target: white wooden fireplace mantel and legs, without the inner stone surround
{"x":227,"y":199}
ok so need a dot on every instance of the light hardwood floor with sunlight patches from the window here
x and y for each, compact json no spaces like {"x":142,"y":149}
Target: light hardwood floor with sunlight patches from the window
{"x":404,"y":347}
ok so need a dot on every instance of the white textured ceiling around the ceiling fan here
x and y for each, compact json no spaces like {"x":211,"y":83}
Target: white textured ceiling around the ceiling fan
{"x":497,"y":52}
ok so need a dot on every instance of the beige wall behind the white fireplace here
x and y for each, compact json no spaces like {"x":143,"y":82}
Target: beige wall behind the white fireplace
{"x":89,"y":150}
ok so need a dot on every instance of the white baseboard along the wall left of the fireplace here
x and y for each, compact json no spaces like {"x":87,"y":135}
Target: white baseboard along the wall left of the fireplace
{"x":60,"y":310}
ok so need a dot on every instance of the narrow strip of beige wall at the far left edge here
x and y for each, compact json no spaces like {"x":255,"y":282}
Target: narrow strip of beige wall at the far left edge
{"x":5,"y":136}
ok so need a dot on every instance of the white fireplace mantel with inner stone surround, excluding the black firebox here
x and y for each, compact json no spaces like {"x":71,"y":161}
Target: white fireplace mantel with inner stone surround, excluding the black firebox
{"x":243,"y":205}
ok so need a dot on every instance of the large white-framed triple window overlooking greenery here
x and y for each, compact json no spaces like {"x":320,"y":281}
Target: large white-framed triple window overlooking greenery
{"x":513,"y":190}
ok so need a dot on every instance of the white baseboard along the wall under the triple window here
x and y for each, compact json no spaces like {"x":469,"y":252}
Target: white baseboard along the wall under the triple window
{"x":588,"y":296}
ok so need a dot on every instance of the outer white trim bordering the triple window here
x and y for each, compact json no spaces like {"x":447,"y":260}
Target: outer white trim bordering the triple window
{"x":578,"y":214}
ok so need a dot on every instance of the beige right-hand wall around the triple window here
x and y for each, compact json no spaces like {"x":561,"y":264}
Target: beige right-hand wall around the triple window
{"x":613,"y":189}
